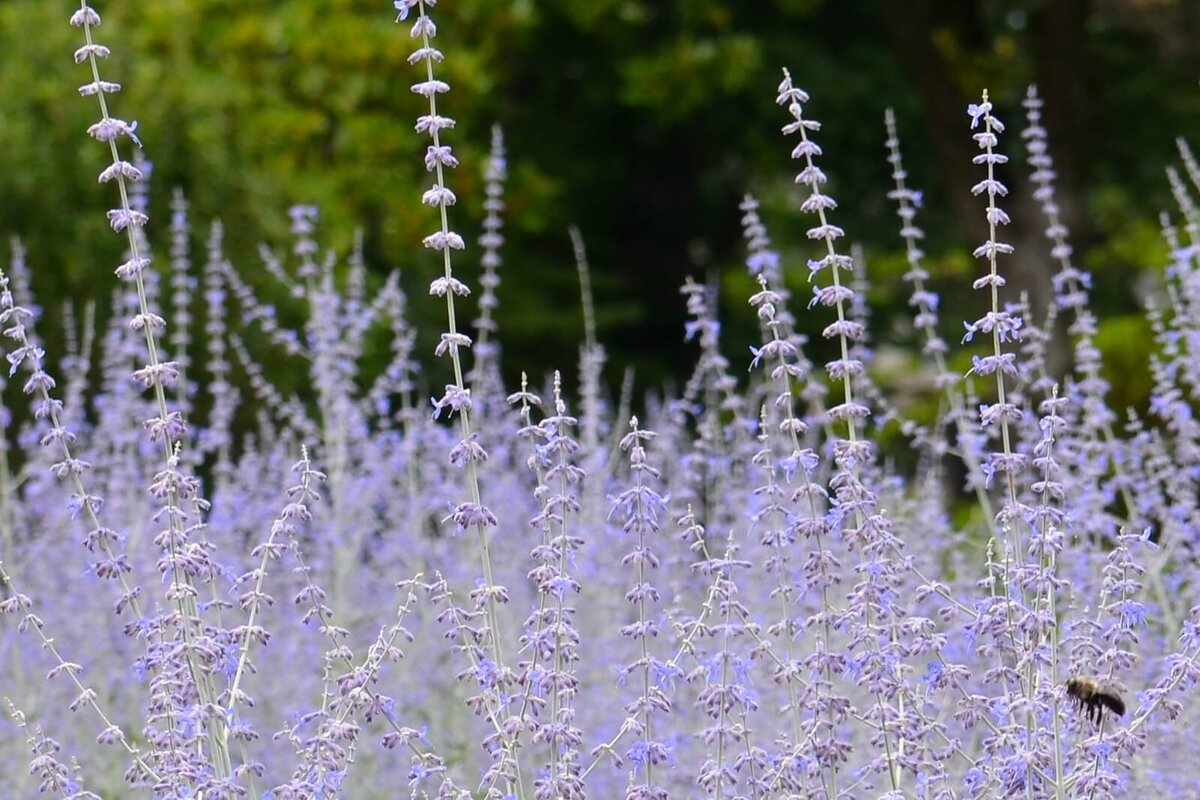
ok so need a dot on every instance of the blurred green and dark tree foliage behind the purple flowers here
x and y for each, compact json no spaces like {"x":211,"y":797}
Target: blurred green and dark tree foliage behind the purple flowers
{"x":641,"y":122}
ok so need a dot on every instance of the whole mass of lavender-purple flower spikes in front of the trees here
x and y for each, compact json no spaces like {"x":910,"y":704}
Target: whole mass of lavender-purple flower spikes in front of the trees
{"x":730,"y":596}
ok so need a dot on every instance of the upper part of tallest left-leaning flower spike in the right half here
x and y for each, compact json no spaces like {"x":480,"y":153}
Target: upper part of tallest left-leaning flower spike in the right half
{"x":837,"y":294}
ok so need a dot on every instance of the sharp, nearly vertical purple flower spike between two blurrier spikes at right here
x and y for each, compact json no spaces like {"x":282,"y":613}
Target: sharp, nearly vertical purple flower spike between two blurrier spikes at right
{"x":1001,"y":324}
